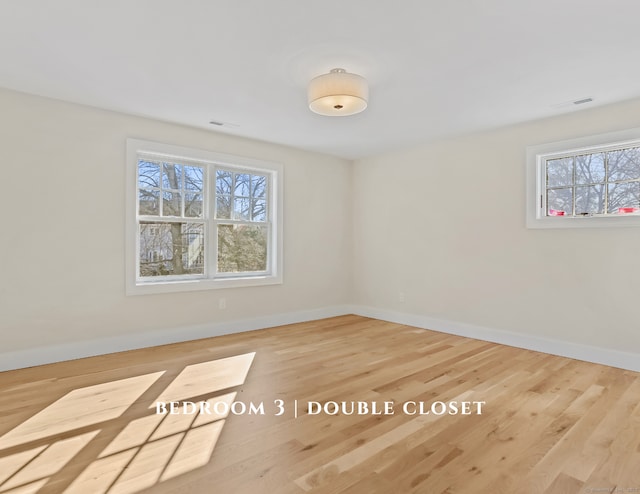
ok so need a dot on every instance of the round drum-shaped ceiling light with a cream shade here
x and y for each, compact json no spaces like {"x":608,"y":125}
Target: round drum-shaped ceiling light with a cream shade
{"x":338,"y":93}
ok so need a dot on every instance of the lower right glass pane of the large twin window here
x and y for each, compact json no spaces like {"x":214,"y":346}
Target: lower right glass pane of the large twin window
{"x":242,"y":248}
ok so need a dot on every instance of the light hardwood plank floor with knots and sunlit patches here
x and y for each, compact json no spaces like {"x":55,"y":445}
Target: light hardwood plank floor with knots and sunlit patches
{"x":549,"y":424}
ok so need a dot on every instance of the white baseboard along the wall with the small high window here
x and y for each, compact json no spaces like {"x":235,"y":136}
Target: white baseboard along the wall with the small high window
{"x":605,"y":356}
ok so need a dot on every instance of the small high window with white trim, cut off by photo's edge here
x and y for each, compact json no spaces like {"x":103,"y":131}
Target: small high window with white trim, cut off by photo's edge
{"x":585,"y":182}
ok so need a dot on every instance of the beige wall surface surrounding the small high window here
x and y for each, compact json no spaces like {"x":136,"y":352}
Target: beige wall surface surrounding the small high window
{"x":445,"y":225}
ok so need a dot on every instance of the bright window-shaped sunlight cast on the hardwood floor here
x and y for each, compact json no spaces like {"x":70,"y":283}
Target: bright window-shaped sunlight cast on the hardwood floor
{"x":142,"y":448}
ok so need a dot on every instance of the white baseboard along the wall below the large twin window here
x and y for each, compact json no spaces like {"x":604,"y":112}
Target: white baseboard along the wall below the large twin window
{"x":81,"y":349}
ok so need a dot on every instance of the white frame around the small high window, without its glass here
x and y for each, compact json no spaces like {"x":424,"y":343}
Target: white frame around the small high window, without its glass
{"x":536,"y":157}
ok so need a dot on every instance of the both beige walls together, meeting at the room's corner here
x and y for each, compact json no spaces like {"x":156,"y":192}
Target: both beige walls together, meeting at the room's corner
{"x":443,"y":223}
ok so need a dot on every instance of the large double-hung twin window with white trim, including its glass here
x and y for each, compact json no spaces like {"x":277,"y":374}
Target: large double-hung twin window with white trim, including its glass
{"x":201,"y":220}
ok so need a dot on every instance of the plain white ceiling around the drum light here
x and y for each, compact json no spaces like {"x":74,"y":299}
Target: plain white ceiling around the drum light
{"x":435,"y":68}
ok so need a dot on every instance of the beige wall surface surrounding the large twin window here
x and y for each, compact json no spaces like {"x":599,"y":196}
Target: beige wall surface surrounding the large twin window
{"x":62,"y":249}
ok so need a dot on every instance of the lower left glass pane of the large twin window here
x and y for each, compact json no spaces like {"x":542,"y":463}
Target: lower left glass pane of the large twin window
{"x":171,"y":249}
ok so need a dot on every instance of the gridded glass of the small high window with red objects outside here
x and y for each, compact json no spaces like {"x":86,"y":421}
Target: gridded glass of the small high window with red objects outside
{"x":597,"y":183}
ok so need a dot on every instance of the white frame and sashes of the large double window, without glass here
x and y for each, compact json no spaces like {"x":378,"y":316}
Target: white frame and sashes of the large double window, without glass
{"x":212,"y":161}
